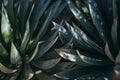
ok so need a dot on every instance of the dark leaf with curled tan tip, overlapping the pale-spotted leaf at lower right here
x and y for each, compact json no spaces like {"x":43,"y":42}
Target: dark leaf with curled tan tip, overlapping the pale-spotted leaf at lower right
{"x":93,"y":60}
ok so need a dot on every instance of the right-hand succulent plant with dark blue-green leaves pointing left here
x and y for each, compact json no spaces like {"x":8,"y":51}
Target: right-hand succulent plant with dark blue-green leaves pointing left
{"x":92,"y":39}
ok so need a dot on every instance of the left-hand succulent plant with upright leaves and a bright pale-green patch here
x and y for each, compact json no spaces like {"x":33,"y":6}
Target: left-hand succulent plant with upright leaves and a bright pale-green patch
{"x":27,"y":39}
